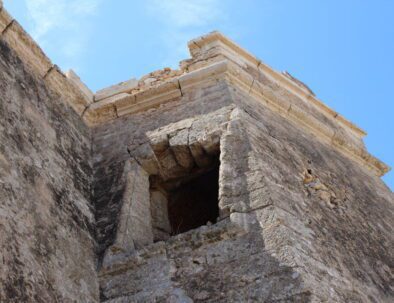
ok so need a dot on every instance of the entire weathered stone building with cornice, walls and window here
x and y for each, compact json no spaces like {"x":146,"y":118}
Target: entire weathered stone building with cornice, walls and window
{"x":223,"y":181}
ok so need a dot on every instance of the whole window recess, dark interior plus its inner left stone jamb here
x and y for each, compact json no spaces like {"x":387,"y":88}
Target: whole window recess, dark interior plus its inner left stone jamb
{"x":182,"y":204}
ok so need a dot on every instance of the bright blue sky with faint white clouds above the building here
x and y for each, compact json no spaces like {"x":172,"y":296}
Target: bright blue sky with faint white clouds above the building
{"x":342,"y":49}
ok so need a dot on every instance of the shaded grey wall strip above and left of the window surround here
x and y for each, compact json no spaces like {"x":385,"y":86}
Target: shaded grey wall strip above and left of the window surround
{"x":113,"y":141}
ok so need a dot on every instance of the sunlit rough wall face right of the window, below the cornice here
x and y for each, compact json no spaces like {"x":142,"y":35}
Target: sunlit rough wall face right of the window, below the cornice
{"x":329,"y":219}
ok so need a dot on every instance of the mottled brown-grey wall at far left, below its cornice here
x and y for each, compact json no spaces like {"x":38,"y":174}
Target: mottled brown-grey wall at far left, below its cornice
{"x":46,"y":219}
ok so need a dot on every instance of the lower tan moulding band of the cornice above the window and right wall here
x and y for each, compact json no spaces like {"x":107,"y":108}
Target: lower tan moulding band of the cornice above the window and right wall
{"x":228,"y":71}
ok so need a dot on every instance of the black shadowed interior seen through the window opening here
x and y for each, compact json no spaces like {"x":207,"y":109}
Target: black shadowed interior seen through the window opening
{"x":194,"y":202}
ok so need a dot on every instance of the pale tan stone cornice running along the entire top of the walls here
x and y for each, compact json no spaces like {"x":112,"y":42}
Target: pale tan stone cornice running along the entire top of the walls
{"x":214,"y":57}
